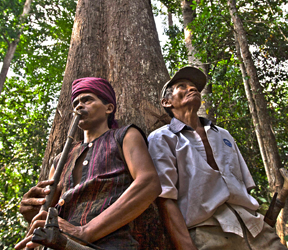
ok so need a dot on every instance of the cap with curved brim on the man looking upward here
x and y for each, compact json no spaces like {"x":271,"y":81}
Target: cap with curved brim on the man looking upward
{"x":193,"y":74}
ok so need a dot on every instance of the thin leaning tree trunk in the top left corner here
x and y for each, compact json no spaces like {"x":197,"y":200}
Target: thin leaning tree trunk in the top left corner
{"x":13,"y":45}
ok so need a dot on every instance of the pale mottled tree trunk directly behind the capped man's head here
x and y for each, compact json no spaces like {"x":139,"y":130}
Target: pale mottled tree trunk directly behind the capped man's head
{"x":188,"y":16}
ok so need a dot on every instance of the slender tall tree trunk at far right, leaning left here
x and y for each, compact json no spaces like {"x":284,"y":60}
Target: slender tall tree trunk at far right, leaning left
{"x":266,"y":138}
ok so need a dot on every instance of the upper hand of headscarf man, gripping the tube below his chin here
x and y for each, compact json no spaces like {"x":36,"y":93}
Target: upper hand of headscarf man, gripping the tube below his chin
{"x":34,"y":199}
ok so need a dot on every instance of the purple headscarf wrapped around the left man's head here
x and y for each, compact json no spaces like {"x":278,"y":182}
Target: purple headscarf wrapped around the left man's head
{"x":98,"y":86}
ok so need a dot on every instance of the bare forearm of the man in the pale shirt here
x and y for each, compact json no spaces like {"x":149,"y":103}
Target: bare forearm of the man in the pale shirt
{"x":175,"y":224}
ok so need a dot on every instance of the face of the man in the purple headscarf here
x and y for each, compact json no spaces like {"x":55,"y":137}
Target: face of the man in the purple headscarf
{"x":93,"y":111}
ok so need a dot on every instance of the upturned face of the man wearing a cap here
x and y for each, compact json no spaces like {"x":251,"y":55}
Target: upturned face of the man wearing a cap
{"x":185,"y":94}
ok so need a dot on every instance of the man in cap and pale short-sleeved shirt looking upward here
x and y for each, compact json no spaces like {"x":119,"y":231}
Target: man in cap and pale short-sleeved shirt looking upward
{"x":204,"y":202}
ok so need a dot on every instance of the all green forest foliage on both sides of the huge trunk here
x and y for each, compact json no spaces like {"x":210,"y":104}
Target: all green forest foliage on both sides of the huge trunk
{"x":30,"y":94}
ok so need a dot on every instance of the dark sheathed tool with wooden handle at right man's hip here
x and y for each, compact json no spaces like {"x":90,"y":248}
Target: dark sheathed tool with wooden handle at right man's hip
{"x":278,"y":201}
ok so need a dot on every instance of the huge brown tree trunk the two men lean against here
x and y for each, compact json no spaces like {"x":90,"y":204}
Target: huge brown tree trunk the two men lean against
{"x":116,"y":40}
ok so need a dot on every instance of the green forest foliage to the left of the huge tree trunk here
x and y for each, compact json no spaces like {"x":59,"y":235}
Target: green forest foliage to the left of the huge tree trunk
{"x":28,"y":100}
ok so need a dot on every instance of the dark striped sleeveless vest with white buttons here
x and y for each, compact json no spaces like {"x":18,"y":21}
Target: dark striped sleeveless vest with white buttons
{"x":105,"y":177}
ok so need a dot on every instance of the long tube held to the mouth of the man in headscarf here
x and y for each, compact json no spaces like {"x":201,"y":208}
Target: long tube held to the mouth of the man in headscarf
{"x":62,"y":161}
